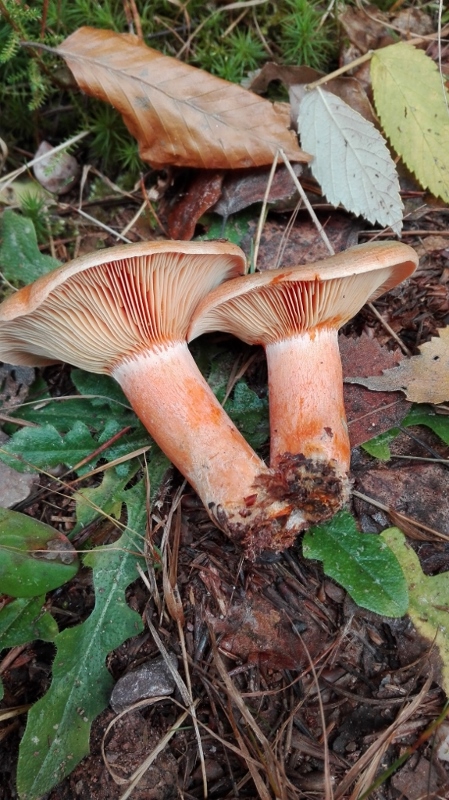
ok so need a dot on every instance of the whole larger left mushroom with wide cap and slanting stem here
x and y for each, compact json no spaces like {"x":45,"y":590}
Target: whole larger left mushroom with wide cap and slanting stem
{"x":125,"y":311}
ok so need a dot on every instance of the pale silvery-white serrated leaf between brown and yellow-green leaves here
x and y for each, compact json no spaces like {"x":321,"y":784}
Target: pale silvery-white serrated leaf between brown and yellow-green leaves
{"x":352,"y":162}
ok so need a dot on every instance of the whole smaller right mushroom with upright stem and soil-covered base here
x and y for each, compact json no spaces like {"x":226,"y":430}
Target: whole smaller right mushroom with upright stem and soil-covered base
{"x":295,"y":313}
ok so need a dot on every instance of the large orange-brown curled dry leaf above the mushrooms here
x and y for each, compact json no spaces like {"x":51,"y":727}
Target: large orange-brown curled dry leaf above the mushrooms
{"x":179,"y":114}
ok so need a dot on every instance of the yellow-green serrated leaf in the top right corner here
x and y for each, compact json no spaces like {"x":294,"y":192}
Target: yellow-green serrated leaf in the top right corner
{"x":412,"y":106}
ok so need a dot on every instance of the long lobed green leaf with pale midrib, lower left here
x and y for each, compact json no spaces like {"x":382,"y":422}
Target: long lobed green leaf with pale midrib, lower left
{"x":57,"y":733}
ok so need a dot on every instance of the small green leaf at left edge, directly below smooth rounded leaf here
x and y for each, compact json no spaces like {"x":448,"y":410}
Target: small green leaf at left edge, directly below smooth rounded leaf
{"x":24,"y":620}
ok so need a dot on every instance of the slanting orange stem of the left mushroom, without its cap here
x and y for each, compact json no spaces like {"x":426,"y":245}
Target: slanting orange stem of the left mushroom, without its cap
{"x":176,"y":405}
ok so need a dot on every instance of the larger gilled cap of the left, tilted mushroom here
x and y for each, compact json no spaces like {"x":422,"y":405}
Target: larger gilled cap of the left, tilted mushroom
{"x":103,"y":308}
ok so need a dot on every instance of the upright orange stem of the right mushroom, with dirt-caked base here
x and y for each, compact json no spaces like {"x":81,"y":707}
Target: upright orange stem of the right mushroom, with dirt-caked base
{"x":309,"y":434}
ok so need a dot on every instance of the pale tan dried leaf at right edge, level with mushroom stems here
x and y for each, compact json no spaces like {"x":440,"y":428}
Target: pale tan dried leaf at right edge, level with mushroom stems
{"x":423,"y":378}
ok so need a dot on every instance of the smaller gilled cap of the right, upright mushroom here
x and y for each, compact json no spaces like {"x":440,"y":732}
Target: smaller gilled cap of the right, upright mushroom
{"x":266,"y":307}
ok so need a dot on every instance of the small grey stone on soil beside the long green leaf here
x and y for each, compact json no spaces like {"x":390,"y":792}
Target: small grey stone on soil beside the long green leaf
{"x":152,"y":679}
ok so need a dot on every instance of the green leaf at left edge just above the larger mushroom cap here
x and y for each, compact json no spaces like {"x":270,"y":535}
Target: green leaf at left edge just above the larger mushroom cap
{"x":20,"y":258}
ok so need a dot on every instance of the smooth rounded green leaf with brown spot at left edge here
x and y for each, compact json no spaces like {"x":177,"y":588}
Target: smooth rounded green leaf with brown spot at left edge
{"x":34,"y":558}
